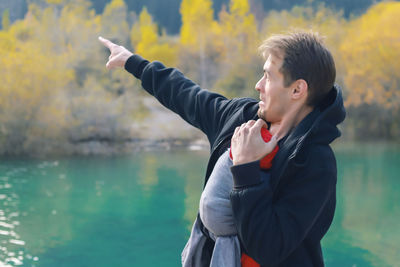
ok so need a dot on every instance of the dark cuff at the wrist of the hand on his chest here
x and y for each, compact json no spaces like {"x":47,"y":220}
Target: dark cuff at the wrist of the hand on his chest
{"x":247,"y":174}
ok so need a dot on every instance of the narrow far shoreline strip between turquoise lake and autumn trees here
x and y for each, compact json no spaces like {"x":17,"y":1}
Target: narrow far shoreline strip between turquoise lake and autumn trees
{"x":104,"y":147}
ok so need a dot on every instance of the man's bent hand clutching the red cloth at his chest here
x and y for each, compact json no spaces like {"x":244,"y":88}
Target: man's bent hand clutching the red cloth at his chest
{"x":247,"y":143}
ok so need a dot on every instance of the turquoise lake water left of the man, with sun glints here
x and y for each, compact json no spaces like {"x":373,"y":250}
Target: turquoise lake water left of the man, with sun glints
{"x":95,"y":212}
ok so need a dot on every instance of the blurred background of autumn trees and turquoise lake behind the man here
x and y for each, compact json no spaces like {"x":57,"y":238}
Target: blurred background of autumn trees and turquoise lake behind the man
{"x":94,"y":172}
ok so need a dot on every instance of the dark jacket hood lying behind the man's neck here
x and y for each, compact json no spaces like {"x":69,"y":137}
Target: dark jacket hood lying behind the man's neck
{"x":320,"y":125}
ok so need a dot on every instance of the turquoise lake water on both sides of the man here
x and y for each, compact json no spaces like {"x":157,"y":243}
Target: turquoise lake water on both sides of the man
{"x":138,"y":210}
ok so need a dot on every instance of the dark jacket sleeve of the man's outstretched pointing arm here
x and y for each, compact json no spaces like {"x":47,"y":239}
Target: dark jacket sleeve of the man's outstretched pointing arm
{"x":201,"y":108}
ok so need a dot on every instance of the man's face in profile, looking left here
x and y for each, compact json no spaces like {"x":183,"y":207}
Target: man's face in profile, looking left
{"x":274,"y":97}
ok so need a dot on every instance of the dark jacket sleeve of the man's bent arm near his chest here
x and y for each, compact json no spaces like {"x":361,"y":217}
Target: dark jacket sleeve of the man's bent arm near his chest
{"x":271,"y":229}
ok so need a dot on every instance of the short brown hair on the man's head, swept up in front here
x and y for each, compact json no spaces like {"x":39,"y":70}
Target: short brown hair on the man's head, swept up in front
{"x":304,"y":57}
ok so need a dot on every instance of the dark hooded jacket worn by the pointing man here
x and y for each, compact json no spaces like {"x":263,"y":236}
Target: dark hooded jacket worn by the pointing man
{"x":281,"y":218}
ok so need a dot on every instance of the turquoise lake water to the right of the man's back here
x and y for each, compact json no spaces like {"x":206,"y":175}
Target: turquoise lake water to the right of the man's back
{"x":365,"y":229}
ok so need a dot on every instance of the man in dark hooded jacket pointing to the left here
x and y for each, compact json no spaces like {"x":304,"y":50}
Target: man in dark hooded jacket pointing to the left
{"x":282,"y":217}
